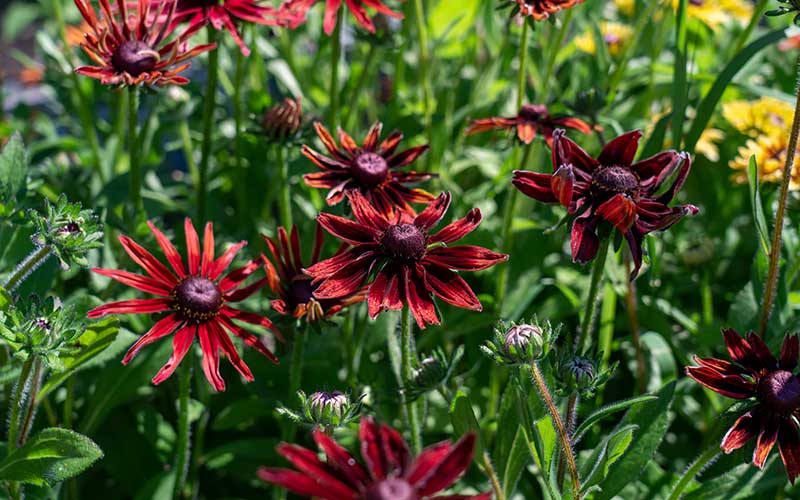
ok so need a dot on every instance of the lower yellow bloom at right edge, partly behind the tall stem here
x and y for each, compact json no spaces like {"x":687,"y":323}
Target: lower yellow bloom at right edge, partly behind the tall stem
{"x":770,"y":155}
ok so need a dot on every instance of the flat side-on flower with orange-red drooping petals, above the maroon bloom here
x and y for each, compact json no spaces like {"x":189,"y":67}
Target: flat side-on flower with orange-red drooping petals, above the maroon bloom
{"x":532,"y":118}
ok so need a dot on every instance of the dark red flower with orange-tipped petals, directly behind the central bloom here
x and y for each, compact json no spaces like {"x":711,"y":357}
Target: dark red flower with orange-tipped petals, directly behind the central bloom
{"x":371,"y":169}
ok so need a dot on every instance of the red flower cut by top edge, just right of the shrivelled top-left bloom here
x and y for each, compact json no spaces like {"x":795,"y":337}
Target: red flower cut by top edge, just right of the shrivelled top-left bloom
{"x":224,"y":14}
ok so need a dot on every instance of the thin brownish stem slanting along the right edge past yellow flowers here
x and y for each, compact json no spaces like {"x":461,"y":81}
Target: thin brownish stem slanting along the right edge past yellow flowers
{"x":775,"y":249}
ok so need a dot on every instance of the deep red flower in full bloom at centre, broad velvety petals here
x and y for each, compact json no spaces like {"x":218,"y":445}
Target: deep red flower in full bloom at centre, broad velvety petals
{"x":409,"y":265}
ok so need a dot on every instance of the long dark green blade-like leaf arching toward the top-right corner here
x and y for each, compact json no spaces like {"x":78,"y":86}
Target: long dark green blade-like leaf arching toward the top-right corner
{"x":709,"y":102}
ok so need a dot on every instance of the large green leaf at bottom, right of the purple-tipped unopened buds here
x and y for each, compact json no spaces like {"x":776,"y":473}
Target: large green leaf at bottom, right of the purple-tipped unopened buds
{"x":652,"y":420}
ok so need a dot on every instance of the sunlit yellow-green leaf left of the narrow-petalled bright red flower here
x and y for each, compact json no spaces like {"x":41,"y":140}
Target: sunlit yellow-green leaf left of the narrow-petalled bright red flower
{"x":94,"y":341}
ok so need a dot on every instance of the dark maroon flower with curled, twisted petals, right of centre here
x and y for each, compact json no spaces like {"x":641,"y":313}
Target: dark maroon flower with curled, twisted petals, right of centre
{"x":610,"y":188}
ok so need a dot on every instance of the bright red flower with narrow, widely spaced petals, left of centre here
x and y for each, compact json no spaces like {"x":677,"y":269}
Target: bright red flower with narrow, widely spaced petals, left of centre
{"x":197,"y":302}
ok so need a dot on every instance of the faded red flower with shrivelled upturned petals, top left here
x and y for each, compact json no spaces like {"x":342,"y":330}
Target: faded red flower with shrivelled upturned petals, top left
{"x":130,"y":48}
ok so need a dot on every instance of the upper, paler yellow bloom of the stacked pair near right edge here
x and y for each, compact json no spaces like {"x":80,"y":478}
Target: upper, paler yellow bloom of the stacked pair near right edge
{"x":765,"y":116}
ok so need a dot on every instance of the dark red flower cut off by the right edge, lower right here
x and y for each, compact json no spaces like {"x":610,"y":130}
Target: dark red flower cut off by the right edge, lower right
{"x":756,"y":374}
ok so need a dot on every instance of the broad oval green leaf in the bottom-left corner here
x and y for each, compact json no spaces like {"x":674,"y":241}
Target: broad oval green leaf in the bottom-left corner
{"x":49,"y":457}
